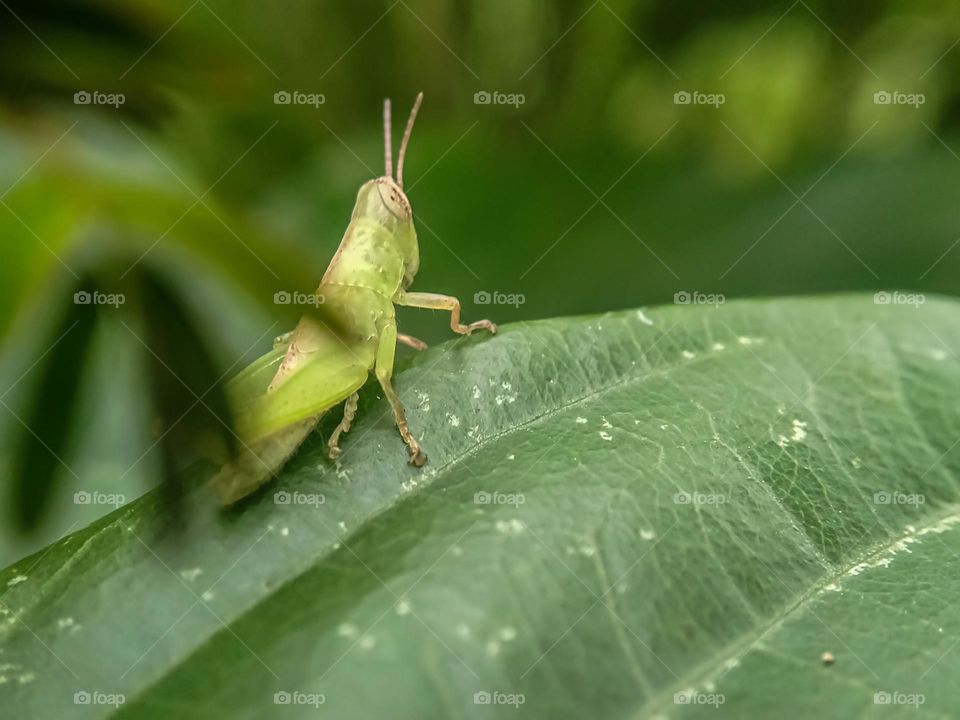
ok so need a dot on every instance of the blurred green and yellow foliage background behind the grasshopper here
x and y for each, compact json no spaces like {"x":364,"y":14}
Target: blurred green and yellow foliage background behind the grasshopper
{"x":599,"y":191}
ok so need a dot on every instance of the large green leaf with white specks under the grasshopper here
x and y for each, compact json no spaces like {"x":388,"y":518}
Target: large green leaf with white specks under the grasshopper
{"x":712,"y":498}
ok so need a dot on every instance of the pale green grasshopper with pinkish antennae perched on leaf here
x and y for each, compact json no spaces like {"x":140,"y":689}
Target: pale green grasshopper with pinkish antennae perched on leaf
{"x":279,"y":399}
